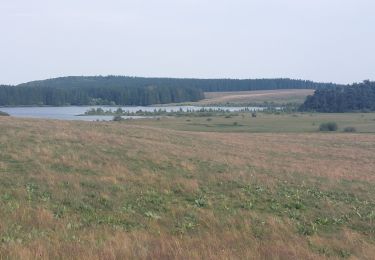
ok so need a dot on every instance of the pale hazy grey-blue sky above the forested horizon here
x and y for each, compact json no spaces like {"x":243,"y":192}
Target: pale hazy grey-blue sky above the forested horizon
{"x":321,"y":40}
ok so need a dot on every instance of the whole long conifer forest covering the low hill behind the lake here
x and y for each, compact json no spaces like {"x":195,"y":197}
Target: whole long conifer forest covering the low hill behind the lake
{"x":121,"y":90}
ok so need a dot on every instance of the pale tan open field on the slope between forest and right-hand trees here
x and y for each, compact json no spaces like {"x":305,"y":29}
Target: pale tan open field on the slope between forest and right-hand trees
{"x":281,"y":96}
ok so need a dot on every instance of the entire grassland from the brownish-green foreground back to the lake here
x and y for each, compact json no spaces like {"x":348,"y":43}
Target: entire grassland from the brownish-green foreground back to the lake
{"x":270,"y":187}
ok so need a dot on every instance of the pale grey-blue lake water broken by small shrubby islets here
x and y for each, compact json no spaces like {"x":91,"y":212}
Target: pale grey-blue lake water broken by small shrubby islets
{"x":72,"y":112}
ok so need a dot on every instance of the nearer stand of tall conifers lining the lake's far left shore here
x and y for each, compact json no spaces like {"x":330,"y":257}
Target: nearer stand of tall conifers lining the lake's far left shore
{"x":95,"y":95}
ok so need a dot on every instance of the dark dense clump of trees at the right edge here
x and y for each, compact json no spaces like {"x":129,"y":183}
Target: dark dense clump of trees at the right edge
{"x":356,"y":97}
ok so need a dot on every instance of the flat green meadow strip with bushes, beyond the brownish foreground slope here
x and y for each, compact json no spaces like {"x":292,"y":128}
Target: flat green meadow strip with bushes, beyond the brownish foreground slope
{"x":263,"y":122}
